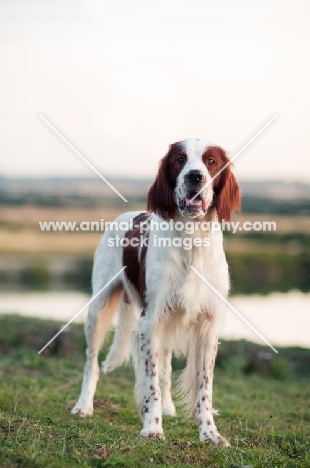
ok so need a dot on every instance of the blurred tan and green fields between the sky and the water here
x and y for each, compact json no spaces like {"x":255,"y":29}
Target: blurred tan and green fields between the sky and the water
{"x":261,"y":262}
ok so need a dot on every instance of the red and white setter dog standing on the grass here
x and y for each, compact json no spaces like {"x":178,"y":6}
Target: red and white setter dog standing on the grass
{"x":158,"y":305}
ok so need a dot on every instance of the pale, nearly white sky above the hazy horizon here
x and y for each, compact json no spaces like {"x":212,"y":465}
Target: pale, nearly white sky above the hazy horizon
{"x":122,"y":79}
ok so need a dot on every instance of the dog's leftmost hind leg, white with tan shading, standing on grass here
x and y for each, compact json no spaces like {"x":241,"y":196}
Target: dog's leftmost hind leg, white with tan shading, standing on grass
{"x":96,"y":326}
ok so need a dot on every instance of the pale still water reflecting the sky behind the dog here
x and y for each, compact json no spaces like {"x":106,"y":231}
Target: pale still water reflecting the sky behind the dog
{"x":283,"y":319}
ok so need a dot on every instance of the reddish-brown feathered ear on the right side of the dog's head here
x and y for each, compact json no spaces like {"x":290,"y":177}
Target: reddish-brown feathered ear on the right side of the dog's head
{"x":227,"y":191}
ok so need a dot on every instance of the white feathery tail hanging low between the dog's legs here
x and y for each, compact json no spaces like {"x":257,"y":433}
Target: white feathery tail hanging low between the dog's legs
{"x":119,"y":352}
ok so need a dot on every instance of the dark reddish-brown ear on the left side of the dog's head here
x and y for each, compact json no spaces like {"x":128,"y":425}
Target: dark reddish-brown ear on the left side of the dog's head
{"x":160,"y":196}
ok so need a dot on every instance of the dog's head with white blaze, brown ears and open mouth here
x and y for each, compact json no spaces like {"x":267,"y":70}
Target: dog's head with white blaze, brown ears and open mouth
{"x":193,"y":177}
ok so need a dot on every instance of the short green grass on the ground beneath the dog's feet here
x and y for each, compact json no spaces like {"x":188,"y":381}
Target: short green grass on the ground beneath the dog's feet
{"x":267,"y":421}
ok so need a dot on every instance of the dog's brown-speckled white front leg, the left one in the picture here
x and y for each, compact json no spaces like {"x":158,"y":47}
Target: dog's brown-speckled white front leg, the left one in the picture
{"x":148,"y":380}
